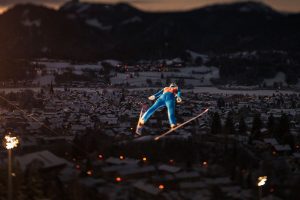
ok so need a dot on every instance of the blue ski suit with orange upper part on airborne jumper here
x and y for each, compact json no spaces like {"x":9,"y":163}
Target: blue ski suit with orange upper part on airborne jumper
{"x":165,"y":97}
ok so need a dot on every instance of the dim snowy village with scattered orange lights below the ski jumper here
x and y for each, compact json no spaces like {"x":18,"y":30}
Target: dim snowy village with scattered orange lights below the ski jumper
{"x":82,"y":141}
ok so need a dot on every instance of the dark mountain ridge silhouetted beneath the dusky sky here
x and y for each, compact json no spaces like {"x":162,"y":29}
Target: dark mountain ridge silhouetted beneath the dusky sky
{"x":89,"y":31}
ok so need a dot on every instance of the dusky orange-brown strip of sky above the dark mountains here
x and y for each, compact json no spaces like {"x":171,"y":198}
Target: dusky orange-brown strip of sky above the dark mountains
{"x":160,"y":6}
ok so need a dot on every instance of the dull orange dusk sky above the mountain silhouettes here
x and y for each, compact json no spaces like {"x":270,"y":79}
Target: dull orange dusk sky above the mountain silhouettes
{"x":163,"y":5}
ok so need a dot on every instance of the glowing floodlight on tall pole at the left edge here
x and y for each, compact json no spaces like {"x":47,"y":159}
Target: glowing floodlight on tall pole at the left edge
{"x":10,"y":143}
